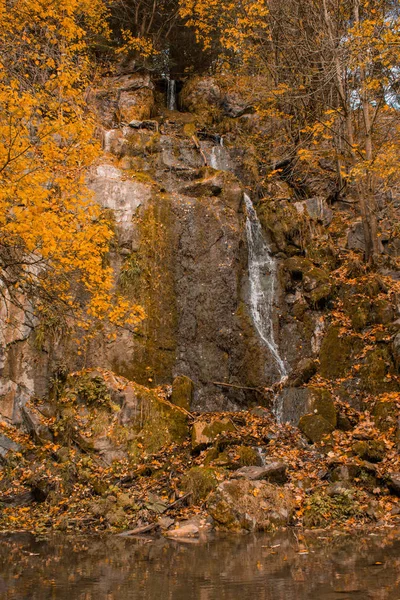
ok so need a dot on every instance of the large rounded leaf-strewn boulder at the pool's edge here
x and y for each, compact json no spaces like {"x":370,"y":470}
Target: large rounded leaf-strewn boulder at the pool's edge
{"x":242,"y":504}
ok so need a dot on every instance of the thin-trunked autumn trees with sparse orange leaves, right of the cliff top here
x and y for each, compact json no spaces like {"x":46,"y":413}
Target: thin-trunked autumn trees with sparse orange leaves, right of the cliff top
{"x":328,"y":69}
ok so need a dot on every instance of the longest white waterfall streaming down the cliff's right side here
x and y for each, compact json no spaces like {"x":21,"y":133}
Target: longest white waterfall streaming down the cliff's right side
{"x":262,"y":275}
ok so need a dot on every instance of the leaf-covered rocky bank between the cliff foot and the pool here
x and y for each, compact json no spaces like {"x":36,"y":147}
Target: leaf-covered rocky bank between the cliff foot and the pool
{"x":105,"y":454}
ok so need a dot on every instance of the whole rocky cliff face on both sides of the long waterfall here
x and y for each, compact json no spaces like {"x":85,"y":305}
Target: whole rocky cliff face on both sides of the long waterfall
{"x":174,"y":184}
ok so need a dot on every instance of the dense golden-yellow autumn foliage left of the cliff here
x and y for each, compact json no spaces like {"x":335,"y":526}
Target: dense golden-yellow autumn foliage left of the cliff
{"x":53,"y":238}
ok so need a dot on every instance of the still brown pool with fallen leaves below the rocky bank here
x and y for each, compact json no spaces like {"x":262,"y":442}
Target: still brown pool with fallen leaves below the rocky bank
{"x":284,"y":566}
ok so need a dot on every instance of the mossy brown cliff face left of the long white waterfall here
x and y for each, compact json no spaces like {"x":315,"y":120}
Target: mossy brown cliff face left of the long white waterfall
{"x":180,"y":251}
